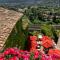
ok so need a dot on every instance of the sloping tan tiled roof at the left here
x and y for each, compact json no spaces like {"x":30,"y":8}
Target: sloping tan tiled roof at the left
{"x":8,"y":19}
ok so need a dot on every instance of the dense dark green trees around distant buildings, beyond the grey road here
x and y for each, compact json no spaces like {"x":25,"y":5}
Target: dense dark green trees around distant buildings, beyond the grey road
{"x":38,"y":14}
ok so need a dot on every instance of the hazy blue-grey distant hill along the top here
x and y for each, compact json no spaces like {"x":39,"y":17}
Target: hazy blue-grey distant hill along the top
{"x":29,"y":2}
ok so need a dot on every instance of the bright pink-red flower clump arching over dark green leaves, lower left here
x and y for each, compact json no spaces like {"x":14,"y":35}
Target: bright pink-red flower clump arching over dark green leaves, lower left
{"x":12,"y":51}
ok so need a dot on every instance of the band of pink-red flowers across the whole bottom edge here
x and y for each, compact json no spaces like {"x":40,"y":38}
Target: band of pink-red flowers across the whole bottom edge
{"x":16,"y":54}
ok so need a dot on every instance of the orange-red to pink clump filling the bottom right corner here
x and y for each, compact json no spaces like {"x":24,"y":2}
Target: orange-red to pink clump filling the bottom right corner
{"x":55,"y":53}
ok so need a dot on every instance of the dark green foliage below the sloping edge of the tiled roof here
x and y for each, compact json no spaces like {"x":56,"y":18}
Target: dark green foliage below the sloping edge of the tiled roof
{"x":18,"y":36}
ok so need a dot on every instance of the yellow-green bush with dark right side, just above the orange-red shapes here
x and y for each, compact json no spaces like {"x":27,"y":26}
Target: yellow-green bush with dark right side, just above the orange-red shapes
{"x":49,"y":31}
